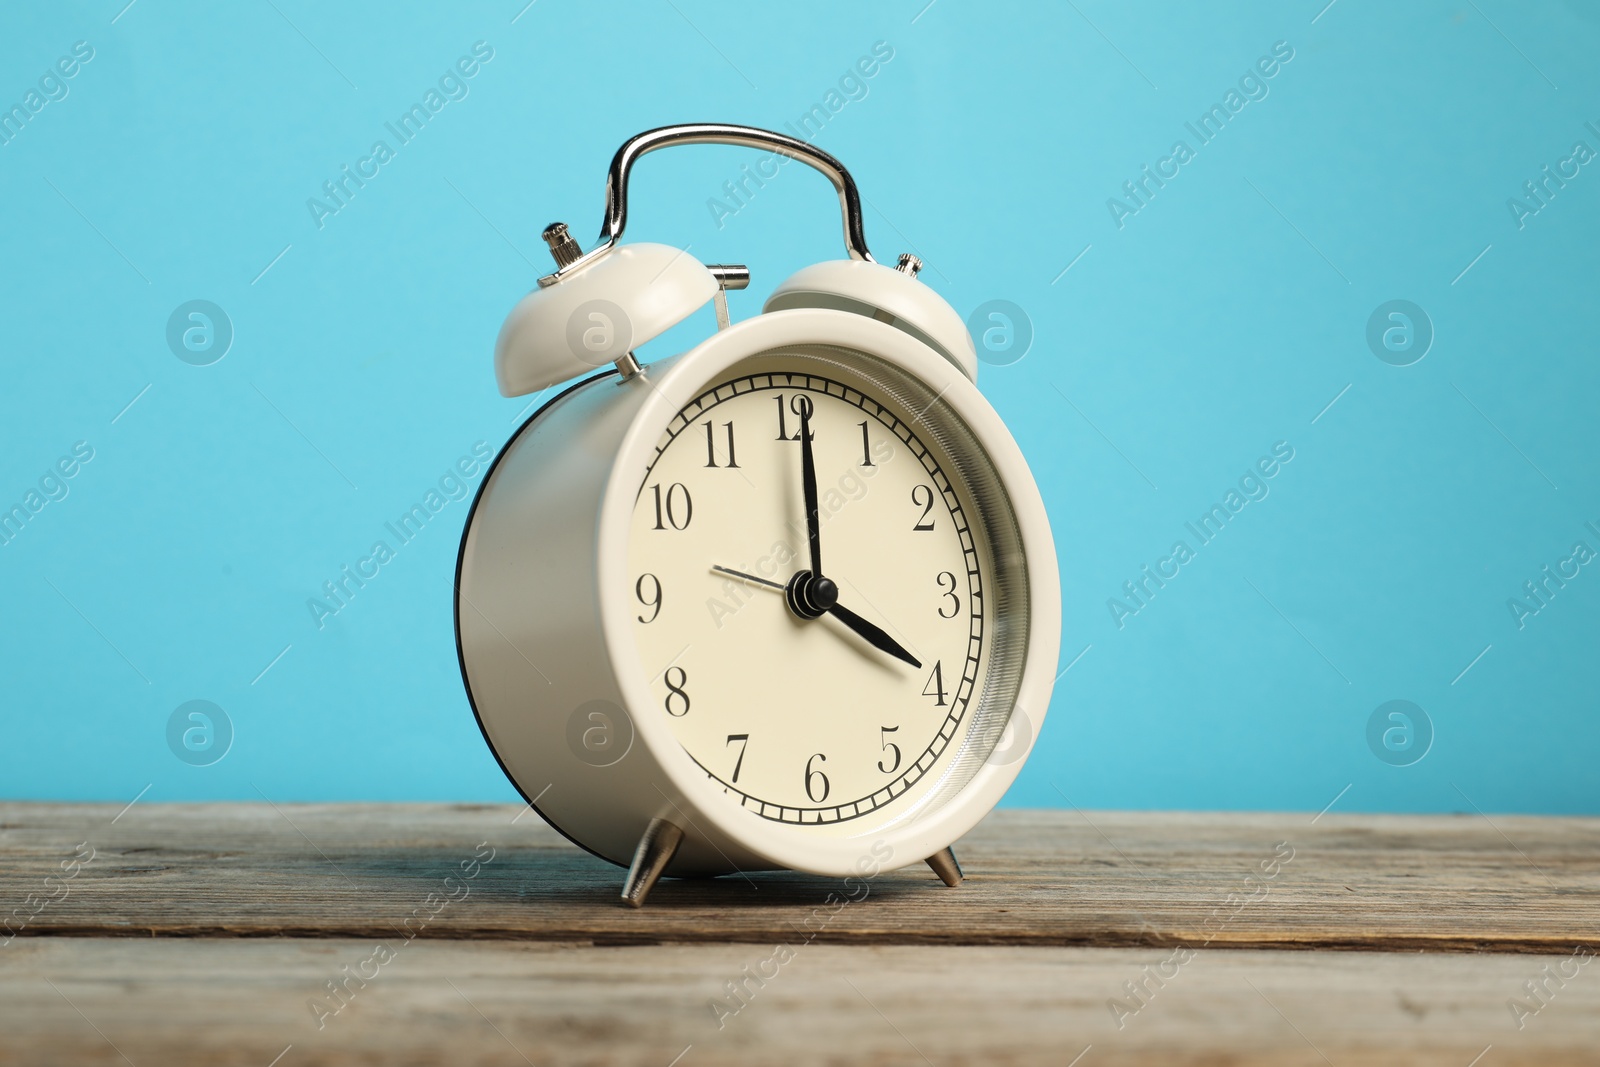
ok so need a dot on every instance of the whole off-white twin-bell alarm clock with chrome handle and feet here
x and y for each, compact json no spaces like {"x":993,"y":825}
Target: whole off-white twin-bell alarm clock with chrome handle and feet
{"x":783,"y":601}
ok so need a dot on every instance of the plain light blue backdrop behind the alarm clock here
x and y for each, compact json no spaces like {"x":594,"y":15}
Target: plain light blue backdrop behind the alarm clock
{"x":1218,"y":321}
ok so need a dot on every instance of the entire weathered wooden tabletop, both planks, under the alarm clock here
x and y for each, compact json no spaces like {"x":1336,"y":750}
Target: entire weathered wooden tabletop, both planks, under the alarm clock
{"x":294,"y":935}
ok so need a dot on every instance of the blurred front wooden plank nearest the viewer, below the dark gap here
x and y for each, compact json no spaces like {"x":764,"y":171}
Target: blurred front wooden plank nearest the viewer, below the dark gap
{"x":247,"y":1002}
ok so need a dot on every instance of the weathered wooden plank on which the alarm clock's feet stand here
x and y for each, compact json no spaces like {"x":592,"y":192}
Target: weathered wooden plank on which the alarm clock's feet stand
{"x":1454,"y":884}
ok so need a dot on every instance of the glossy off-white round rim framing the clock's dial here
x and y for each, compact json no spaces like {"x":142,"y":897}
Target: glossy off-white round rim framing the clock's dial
{"x":689,"y":377}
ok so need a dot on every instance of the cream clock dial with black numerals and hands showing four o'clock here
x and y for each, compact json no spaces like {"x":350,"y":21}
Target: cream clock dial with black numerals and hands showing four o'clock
{"x":839,"y":705}
